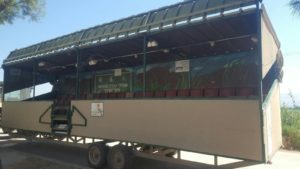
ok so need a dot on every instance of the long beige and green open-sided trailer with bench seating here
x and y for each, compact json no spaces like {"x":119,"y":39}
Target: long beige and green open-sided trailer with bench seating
{"x":200,"y":76}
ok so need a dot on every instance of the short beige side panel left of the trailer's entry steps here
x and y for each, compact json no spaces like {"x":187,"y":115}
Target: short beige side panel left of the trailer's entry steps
{"x":25,"y":115}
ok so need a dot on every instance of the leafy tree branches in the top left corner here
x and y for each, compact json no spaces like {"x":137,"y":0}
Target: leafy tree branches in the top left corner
{"x":13,"y":9}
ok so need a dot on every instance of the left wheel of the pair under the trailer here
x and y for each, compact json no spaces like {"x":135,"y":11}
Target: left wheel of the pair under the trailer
{"x":97,"y":155}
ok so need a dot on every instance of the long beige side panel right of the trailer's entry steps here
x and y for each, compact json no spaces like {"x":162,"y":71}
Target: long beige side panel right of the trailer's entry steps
{"x":223,"y":127}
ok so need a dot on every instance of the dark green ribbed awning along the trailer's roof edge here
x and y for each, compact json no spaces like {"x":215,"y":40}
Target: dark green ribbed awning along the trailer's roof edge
{"x":169,"y":17}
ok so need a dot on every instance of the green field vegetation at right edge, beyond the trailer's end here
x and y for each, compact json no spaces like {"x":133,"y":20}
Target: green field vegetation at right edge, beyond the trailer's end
{"x":291,"y":126}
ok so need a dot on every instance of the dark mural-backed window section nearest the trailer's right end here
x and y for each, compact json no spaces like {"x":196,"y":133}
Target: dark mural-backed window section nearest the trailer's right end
{"x":232,"y":70}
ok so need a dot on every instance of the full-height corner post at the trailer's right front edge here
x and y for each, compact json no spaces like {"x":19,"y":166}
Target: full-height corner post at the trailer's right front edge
{"x":259,"y":73}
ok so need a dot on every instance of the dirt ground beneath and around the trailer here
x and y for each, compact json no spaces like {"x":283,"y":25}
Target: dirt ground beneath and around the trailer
{"x":19,"y":154}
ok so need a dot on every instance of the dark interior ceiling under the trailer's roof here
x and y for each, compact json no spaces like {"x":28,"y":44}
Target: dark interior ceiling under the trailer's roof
{"x":204,"y":39}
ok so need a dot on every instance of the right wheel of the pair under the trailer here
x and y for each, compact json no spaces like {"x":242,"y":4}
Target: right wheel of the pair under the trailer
{"x":119,"y":157}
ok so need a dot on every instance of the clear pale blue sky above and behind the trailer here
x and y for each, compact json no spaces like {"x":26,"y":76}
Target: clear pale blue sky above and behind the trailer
{"x":66,"y":16}
